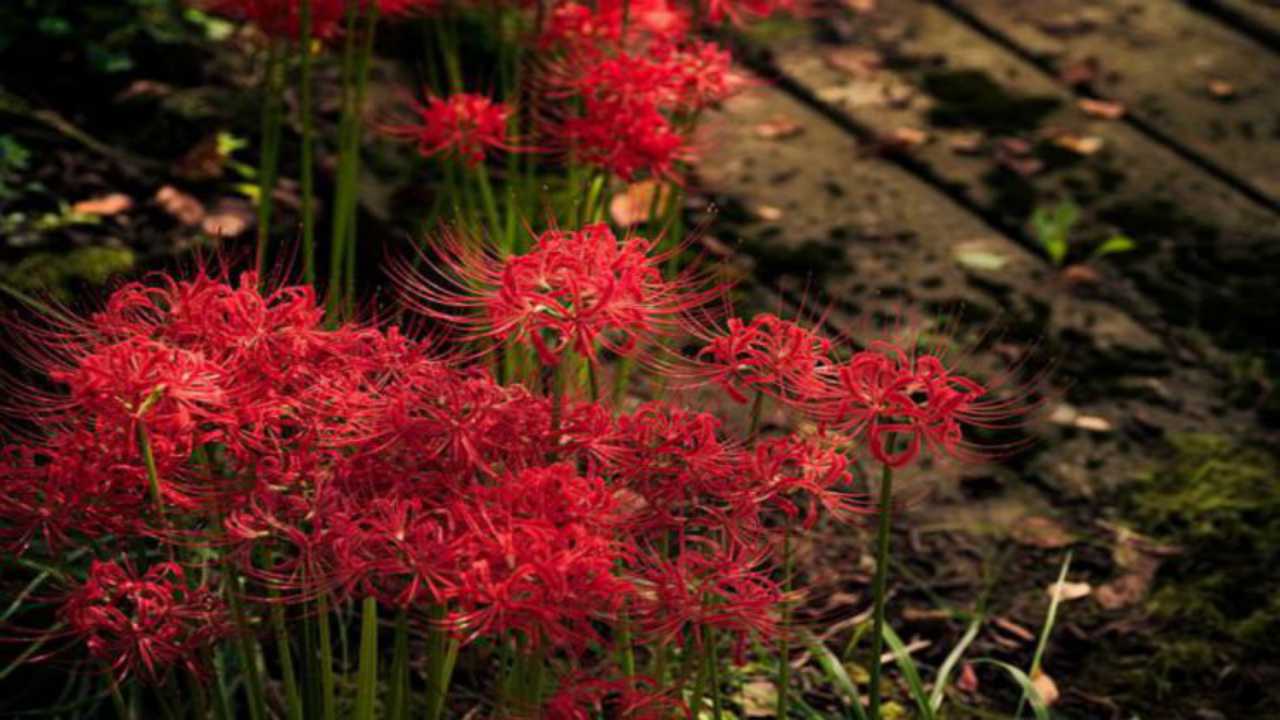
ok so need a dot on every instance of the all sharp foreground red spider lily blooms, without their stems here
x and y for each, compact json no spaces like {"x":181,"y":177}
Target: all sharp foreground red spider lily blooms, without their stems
{"x":354,"y":462}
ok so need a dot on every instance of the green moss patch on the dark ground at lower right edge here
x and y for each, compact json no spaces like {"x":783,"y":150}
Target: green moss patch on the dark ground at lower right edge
{"x":1217,"y":604}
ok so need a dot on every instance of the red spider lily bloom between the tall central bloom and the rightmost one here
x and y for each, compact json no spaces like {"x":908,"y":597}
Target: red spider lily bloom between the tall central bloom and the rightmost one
{"x":779,"y":358}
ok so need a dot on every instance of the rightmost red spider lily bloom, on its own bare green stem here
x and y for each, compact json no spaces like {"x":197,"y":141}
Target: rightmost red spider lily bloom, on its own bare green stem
{"x":904,"y":403}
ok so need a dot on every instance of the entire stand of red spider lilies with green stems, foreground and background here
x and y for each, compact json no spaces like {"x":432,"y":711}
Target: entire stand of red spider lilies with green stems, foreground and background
{"x":504,"y":498}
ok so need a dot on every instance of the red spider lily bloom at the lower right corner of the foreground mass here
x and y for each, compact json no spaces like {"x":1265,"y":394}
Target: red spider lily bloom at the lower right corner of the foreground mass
{"x":708,"y":585}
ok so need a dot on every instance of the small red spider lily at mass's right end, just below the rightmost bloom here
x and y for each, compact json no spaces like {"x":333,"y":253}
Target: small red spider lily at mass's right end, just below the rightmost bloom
{"x":784,"y":468}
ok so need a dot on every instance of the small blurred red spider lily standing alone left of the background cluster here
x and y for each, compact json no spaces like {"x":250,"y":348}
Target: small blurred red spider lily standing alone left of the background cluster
{"x":465,"y":125}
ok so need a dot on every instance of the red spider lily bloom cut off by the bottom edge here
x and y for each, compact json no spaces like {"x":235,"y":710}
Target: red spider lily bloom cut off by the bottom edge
{"x":583,"y":698}
